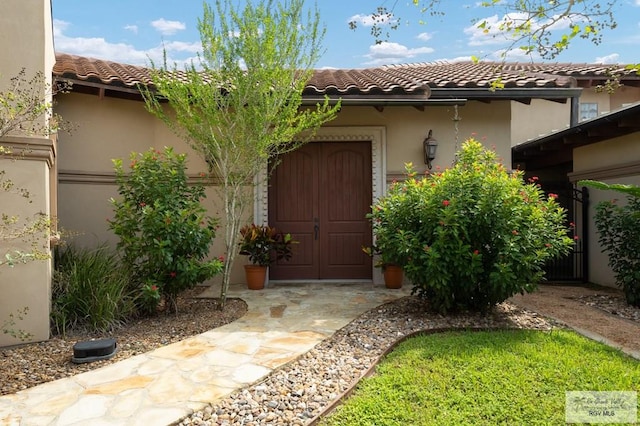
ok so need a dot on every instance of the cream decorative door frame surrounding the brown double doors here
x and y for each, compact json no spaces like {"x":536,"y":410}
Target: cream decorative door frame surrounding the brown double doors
{"x":377,"y":135}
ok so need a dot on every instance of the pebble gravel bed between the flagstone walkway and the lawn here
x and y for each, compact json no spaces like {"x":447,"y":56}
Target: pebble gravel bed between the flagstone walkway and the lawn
{"x":296,"y":393}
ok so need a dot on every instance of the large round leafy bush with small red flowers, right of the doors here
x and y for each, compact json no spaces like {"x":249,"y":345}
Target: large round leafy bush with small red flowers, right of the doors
{"x":472,"y":236}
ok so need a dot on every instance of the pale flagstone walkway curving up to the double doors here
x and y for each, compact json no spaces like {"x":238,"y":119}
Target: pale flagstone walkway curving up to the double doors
{"x":160,"y":387}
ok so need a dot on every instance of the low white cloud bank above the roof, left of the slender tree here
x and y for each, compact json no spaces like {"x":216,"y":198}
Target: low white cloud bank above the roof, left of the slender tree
{"x":178,"y":52}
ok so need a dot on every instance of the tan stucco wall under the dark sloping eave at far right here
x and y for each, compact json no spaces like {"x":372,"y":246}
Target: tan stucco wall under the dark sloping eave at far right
{"x":612,"y":161}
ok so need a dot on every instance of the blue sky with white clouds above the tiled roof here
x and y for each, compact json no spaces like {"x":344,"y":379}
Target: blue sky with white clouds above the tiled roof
{"x":132,"y":31}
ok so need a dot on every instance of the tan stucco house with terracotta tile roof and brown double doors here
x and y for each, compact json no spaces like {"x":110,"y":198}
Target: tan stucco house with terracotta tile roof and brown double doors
{"x":322,"y":192}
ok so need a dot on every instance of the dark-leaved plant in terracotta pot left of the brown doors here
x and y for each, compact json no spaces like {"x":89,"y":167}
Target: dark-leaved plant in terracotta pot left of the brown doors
{"x":264,"y":245}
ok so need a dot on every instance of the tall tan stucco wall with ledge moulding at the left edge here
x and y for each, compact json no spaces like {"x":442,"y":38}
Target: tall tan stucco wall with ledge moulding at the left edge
{"x":27,"y":42}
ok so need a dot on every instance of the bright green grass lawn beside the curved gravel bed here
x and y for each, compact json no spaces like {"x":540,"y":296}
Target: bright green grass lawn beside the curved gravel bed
{"x":513,"y":377}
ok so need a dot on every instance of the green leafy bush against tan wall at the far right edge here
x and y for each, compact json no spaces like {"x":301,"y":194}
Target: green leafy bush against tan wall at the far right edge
{"x":619,"y":234}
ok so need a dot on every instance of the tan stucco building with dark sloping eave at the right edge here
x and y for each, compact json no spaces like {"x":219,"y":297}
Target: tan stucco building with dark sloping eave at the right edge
{"x":605,"y":148}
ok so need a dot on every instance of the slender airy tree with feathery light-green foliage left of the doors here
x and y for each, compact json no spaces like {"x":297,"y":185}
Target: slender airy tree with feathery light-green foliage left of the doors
{"x":240,"y":107}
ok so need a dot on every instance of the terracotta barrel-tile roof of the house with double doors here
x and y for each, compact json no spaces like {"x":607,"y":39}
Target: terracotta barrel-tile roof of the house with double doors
{"x":407,"y":79}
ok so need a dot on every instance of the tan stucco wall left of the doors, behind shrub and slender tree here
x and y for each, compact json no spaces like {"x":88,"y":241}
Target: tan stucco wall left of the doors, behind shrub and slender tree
{"x":106,"y":129}
